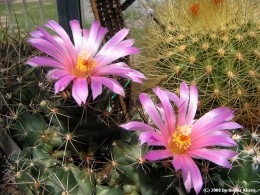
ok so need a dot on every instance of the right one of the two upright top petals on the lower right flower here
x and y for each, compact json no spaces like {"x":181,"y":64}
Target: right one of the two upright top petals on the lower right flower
{"x":193,"y":103}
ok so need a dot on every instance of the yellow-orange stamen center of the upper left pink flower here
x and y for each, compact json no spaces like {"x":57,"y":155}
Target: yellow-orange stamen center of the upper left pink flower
{"x":85,"y":64}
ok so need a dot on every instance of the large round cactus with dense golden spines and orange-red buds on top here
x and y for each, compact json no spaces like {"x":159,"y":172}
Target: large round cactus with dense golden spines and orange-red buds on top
{"x":219,"y":55}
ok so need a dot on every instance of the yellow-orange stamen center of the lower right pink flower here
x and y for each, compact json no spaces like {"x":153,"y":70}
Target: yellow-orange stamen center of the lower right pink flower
{"x":180,"y":140}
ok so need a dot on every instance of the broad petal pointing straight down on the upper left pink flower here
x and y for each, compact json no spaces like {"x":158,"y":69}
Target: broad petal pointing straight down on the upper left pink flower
{"x":80,"y":90}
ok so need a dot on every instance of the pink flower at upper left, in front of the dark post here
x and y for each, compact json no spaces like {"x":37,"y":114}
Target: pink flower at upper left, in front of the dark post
{"x":82,"y":63}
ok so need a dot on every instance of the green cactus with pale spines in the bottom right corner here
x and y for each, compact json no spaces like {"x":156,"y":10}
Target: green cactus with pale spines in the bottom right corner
{"x":244,"y":177}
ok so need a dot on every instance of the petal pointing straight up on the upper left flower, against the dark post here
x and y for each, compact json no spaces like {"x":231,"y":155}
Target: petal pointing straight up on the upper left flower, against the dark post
{"x":77,"y":34}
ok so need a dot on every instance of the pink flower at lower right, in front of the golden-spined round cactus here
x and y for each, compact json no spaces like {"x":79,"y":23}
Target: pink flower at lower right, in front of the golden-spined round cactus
{"x":183,"y":137}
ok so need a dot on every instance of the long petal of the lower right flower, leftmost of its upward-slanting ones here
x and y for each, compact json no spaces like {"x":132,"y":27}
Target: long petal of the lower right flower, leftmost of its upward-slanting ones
{"x":151,"y":110}
